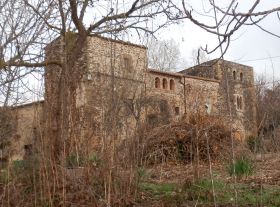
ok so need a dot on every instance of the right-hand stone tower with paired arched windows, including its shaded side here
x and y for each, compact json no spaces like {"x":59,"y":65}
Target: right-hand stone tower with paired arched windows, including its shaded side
{"x":236,"y":93}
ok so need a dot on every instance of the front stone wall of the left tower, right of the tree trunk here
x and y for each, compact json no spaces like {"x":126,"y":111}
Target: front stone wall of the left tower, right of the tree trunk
{"x":114,"y":78}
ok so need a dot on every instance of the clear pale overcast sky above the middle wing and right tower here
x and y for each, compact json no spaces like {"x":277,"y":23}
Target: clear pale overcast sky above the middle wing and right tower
{"x":249,"y":46}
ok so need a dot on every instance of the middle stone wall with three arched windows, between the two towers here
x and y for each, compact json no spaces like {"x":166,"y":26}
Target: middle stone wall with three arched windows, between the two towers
{"x":190,"y":95}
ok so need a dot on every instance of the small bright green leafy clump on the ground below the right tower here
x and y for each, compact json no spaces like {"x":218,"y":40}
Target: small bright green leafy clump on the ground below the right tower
{"x":242,"y":166}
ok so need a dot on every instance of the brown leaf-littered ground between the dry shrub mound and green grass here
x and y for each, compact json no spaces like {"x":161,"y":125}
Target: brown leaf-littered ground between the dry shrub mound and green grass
{"x":266,"y":170}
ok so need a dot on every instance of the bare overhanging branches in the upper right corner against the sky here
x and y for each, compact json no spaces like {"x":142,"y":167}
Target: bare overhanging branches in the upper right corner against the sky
{"x":226,"y":19}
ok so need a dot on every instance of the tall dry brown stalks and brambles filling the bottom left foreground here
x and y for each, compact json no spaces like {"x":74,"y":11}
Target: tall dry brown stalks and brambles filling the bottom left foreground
{"x":49,"y":184}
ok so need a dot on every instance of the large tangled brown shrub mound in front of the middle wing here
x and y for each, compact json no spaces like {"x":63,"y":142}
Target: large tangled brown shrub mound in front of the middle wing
{"x":181,"y":140}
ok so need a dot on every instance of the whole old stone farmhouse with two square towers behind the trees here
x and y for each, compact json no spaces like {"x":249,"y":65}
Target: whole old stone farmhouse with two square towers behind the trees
{"x":116,"y":78}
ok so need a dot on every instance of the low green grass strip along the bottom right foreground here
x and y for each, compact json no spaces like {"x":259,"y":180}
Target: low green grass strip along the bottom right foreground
{"x":201,"y":192}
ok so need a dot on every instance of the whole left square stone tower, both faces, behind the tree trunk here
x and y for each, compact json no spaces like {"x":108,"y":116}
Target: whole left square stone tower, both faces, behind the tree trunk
{"x":109,"y":75}
